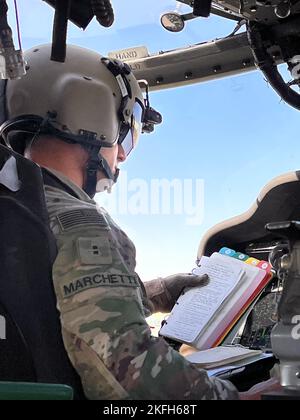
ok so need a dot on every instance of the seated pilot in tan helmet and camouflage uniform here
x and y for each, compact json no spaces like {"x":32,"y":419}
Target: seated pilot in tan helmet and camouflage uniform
{"x":79,"y":120}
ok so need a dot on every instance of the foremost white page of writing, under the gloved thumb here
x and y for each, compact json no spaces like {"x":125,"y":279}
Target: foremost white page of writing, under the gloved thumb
{"x":195,"y":308}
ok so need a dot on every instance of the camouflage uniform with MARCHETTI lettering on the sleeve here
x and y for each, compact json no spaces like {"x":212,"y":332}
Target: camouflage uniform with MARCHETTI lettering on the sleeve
{"x":103,"y":307}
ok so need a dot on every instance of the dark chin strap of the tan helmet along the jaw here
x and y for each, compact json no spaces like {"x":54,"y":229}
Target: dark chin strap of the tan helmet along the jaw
{"x":97,"y":163}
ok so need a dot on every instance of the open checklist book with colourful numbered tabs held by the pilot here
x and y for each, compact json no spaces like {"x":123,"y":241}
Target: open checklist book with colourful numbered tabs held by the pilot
{"x":202,"y":317}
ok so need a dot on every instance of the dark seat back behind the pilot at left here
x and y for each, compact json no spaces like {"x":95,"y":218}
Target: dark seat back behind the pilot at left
{"x":31,"y":346}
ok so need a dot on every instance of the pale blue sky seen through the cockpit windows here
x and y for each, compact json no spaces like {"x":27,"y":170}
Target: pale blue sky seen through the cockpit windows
{"x":233,"y":134}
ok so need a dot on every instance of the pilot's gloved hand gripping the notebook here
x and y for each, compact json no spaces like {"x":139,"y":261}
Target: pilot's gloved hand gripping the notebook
{"x":164,"y":292}
